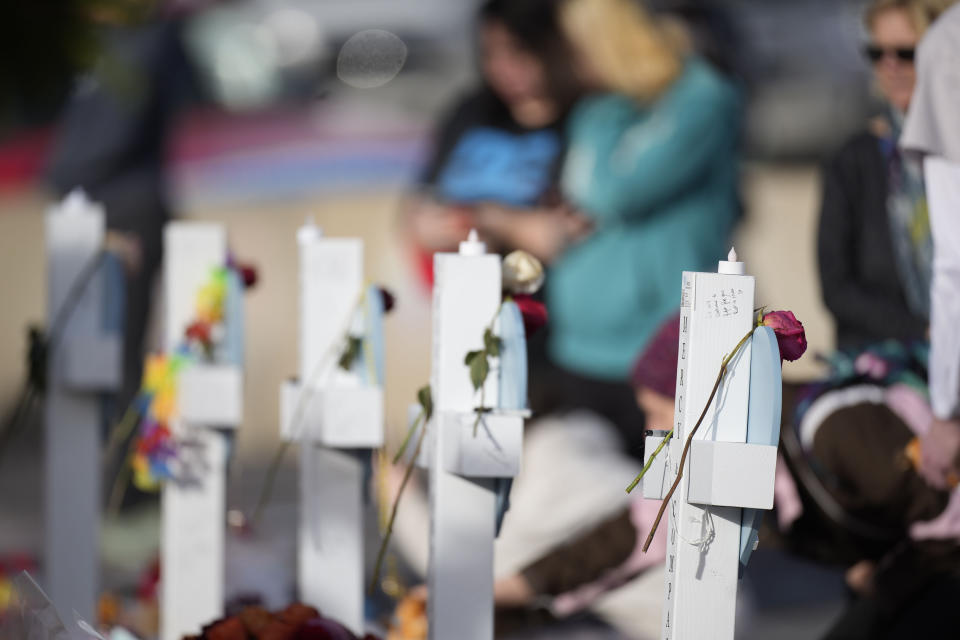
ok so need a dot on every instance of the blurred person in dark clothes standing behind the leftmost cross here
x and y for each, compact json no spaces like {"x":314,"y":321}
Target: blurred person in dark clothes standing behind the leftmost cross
{"x":112,"y":142}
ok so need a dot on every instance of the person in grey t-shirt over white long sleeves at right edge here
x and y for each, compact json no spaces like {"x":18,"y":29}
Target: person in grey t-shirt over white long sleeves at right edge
{"x":933,"y":131}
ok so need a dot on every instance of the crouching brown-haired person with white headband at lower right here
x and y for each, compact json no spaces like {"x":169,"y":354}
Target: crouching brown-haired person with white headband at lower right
{"x":851,"y":443}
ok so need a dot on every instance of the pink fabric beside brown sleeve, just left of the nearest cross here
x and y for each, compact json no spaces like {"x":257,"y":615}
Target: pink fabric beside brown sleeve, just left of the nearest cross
{"x":642,"y":514}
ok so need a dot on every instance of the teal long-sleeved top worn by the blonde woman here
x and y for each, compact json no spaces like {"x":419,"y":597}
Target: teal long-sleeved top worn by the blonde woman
{"x":658,"y":182}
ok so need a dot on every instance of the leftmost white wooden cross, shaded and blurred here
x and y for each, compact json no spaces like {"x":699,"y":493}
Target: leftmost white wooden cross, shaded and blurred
{"x":84,"y":361}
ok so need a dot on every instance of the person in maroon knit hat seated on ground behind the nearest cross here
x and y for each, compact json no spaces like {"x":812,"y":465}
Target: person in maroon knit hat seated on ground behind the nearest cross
{"x":569,"y":540}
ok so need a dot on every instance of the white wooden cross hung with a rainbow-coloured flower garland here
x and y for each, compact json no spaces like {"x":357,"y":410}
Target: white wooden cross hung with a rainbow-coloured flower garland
{"x":209,"y":400}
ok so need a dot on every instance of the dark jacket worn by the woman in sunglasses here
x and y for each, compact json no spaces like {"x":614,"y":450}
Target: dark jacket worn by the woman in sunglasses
{"x":858,"y":274}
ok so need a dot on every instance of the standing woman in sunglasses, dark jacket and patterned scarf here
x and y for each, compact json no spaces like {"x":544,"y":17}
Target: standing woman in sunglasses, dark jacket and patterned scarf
{"x":874,"y":243}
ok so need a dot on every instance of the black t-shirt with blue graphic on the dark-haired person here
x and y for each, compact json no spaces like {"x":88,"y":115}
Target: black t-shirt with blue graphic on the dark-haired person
{"x":482,"y":154}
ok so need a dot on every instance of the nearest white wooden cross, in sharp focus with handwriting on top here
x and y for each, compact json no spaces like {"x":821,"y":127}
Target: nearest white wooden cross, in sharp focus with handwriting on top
{"x":730,"y":467}
